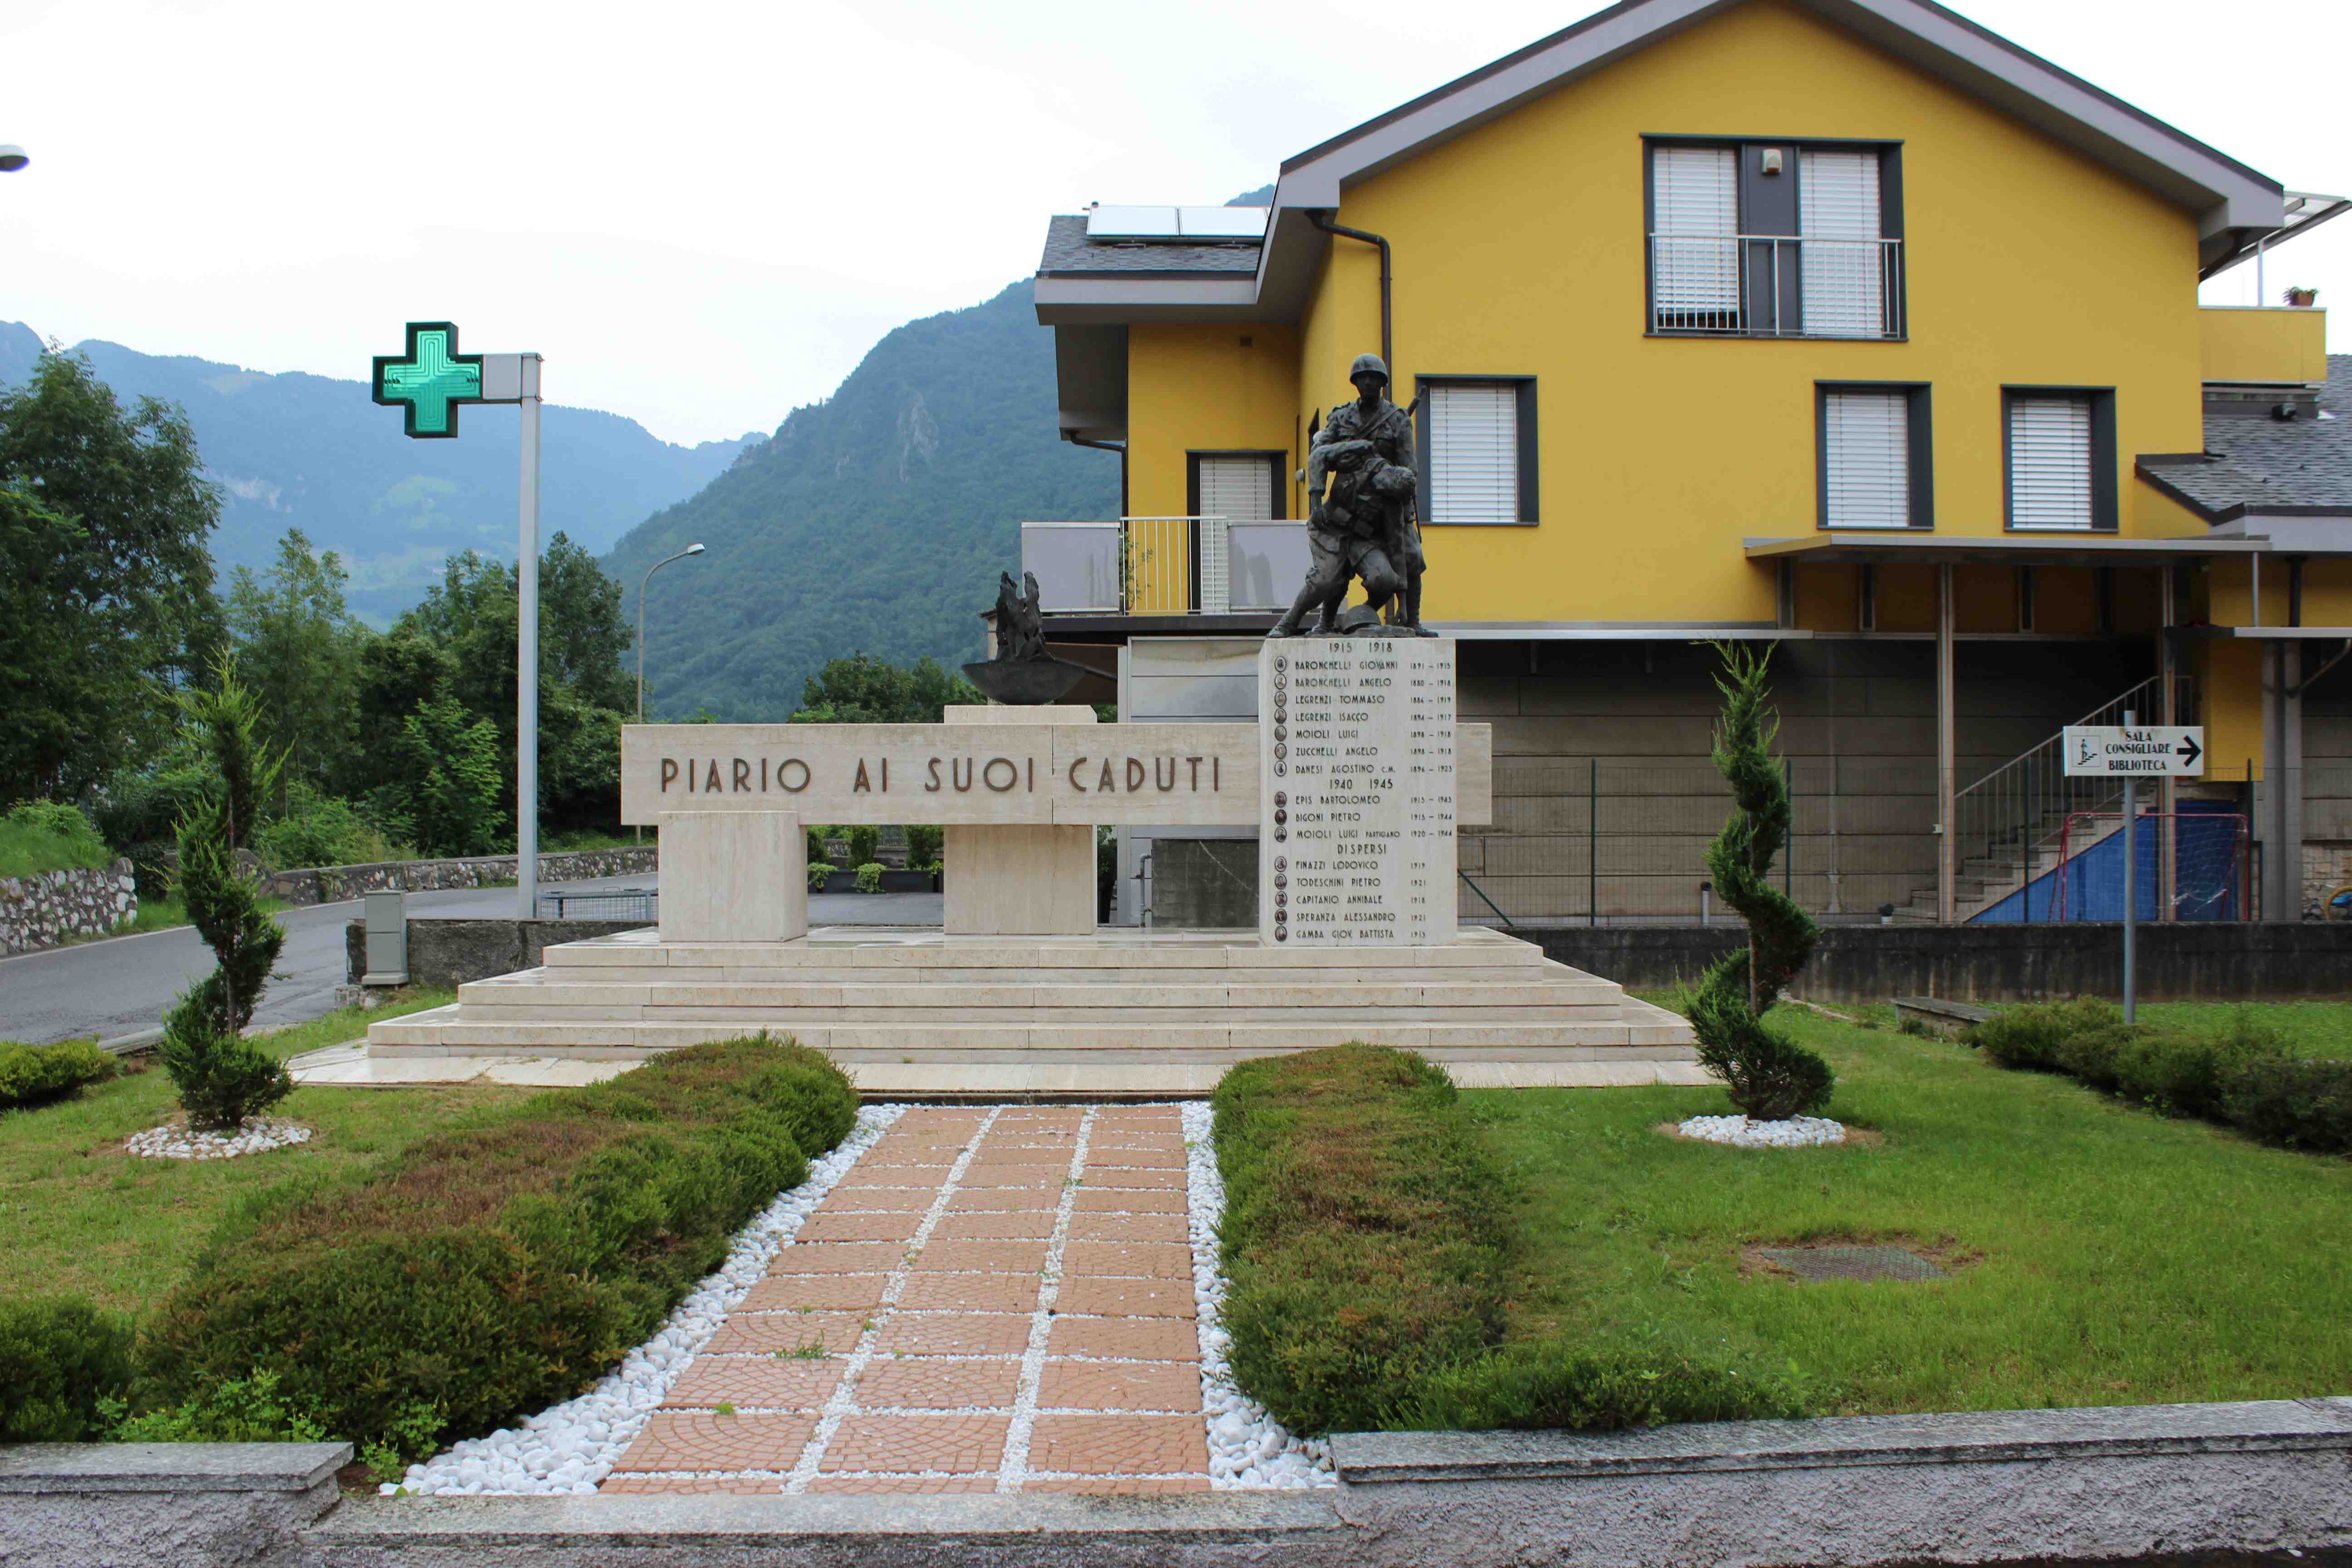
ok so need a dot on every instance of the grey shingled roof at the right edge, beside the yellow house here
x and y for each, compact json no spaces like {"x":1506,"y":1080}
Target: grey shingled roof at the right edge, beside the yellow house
{"x":2269,"y":464}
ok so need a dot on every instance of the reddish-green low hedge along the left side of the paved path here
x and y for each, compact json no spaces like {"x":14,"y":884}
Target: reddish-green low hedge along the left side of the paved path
{"x":507,"y":1264}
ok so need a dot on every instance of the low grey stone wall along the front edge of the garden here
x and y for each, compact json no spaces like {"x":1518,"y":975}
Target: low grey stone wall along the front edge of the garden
{"x":2151,"y":1485}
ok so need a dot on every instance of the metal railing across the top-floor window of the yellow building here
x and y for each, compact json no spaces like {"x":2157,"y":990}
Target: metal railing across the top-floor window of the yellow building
{"x":1777,"y":288}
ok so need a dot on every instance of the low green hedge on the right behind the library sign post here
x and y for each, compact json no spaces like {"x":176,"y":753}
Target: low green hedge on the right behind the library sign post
{"x":2243,"y":1078}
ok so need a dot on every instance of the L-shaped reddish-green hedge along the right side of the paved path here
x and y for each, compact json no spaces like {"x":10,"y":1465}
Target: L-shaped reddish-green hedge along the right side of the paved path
{"x":1370,"y":1245}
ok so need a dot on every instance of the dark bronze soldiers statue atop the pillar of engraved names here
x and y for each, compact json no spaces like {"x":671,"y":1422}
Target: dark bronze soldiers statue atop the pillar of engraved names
{"x":1361,"y":511}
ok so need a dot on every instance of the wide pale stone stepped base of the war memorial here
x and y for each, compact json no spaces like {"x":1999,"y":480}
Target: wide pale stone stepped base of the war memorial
{"x":1034,"y":1010}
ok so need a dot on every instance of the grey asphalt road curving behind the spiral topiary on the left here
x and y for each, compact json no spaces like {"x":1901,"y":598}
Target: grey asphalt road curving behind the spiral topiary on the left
{"x":123,"y":984}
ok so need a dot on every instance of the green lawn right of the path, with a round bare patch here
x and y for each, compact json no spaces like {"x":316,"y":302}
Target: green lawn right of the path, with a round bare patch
{"x":2104,"y":1254}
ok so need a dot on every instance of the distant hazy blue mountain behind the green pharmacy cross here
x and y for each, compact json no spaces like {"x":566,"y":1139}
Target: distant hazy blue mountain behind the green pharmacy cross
{"x":316,"y":455}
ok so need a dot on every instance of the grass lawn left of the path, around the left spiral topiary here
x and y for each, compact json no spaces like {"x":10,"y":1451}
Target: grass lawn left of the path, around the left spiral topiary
{"x":81,"y":1217}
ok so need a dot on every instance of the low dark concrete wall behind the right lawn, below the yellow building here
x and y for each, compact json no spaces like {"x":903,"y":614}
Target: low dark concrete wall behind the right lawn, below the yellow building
{"x":2179,"y":963}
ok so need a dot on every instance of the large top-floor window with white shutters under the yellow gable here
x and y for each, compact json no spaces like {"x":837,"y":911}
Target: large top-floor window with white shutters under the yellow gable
{"x":1775,"y":239}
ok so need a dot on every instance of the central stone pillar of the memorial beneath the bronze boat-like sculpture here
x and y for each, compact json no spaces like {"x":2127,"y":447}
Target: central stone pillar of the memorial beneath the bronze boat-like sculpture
{"x":1024,"y":878}
